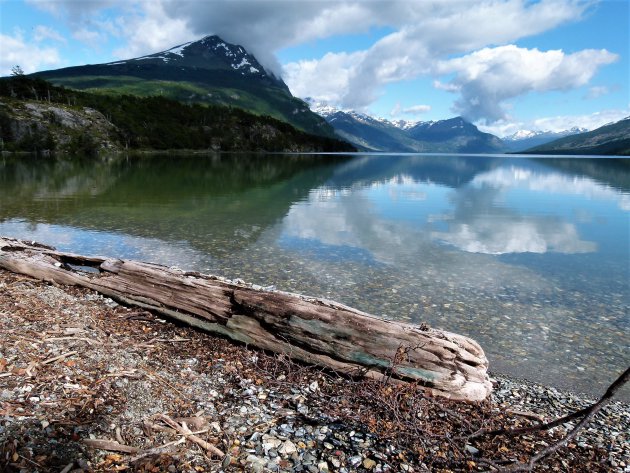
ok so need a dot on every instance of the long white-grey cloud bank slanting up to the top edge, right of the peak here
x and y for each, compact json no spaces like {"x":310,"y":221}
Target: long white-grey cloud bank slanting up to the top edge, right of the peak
{"x":426,"y":32}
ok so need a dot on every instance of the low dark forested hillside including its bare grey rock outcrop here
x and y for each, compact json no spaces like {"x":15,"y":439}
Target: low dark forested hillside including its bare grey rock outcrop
{"x":36,"y":115}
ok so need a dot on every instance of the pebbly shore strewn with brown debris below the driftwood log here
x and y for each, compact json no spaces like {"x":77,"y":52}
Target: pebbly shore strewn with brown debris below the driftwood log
{"x":124,"y":368}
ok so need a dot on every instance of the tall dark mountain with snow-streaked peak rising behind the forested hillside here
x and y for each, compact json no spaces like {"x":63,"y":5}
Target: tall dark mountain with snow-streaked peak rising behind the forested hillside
{"x":208,"y":71}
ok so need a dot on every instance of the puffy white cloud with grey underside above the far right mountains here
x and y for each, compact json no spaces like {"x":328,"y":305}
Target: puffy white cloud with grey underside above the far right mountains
{"x":485,"y":79}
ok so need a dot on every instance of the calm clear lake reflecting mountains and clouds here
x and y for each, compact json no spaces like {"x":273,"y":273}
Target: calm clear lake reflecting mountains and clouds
{"x":530,"y":257}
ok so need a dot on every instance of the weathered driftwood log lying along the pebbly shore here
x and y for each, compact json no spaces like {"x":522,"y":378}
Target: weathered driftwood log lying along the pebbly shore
{"x":308,"y":329}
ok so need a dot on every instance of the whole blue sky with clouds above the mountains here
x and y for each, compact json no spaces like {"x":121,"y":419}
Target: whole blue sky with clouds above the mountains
{"x":505,"y":65}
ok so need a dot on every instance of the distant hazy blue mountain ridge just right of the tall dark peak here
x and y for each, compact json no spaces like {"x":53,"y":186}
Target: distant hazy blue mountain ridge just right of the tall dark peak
{"x":454,"y":135}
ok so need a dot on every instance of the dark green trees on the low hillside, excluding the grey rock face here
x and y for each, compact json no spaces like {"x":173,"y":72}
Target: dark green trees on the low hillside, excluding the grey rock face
{"x":160,"y":123}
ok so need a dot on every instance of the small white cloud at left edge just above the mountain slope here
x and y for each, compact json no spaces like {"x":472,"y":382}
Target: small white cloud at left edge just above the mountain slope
{"x":28,"y":55}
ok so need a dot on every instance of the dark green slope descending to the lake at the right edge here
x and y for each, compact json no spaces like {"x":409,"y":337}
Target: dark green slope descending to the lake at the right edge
{"x":611,"y":139}
